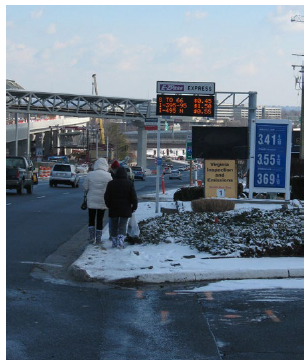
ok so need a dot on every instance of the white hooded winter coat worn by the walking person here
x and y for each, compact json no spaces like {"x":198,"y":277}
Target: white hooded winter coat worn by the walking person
{"x":96,"y":184}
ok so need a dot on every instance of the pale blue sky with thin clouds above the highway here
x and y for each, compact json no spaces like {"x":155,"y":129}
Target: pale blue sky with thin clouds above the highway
{"x":241,"y":48}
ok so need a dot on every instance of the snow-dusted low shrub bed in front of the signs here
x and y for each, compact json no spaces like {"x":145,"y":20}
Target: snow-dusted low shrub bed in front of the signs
{"x":240,"y":233}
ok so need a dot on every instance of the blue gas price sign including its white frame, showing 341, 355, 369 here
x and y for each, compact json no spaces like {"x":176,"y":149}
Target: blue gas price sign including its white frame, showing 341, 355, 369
{"x":271,"y":154}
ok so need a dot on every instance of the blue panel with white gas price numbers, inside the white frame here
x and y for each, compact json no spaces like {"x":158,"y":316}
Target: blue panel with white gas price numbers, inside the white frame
{"x":270,"y":155}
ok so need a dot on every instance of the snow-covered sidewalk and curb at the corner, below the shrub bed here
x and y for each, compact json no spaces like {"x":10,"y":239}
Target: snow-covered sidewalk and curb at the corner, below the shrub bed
{"x":172,"y":262}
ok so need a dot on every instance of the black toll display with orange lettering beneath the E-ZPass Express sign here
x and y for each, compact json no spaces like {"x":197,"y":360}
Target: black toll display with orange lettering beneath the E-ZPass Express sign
{"x":185,"y":105}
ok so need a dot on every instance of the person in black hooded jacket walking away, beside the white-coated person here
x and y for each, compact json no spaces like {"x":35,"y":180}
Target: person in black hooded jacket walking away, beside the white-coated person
{"x":121,"y":199}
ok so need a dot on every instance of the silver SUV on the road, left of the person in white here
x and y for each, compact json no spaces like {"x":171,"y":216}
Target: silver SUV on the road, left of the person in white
{"x":64,"y":174}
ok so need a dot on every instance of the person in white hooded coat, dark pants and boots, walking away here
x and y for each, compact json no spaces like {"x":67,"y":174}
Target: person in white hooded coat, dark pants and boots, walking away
{"x":95,"y":184}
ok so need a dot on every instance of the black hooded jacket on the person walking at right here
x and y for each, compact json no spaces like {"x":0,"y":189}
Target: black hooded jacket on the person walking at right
{"x":120,"y":196}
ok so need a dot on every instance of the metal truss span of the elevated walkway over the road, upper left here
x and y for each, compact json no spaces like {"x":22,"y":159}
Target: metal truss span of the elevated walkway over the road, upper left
{"x":21,"y":101}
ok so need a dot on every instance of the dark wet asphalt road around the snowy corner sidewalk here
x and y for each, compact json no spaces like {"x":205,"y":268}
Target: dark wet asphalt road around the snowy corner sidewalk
{"x":49,"y":316}
